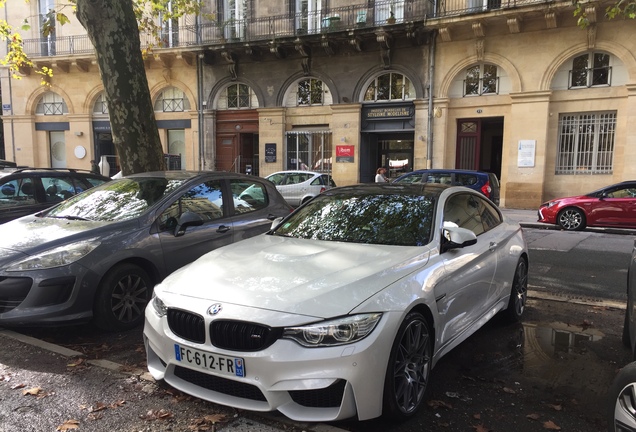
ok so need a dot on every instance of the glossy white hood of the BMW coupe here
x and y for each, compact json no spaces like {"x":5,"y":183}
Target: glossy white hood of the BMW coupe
{"x":307,"y":277}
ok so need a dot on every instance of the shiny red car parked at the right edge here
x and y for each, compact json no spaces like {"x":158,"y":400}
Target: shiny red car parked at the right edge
{"x":611,"y":206}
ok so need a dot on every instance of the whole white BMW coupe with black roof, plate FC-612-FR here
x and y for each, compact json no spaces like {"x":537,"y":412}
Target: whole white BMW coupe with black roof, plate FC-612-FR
{"x":344,"y":307}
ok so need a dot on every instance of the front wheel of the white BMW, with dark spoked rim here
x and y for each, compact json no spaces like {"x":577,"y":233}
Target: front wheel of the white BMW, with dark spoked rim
{"x":409,"y":368}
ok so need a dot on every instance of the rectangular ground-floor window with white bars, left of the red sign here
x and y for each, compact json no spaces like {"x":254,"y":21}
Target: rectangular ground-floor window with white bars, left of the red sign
{"x":310,"y":150}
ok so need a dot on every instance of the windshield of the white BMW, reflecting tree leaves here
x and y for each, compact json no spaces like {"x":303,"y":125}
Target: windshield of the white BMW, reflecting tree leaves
{"x":388,"y":219}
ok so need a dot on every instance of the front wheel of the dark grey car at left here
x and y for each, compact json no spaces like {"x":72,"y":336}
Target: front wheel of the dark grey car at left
{"x":122,"y":298}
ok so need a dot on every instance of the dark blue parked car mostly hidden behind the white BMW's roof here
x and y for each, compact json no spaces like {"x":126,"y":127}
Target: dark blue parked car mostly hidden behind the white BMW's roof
{"x":484,"y":182}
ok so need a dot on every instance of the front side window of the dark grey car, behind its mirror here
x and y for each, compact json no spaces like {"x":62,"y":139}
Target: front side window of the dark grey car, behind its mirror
{"x":204,"y":199}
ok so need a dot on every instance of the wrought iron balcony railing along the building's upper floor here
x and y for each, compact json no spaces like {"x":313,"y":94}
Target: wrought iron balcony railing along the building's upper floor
{"x":366,"y":15}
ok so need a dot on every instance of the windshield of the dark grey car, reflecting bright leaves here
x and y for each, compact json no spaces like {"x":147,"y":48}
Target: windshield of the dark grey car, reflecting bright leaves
{"x":116,"y":200}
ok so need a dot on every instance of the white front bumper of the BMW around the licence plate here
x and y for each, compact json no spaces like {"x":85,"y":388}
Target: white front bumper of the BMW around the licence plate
{"x":305,"y":384}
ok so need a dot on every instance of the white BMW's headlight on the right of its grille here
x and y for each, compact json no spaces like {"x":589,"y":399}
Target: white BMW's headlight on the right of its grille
{"x":340,"y":331}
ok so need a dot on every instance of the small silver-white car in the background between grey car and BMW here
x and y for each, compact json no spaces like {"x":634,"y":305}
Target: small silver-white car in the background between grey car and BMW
{"x":299,"y":187}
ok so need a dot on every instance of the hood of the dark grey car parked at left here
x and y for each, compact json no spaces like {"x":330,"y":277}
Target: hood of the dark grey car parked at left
{"x":31,"y":234}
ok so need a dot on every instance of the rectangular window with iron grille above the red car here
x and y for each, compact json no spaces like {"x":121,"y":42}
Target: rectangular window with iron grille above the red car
{"x":586,"y":143}
